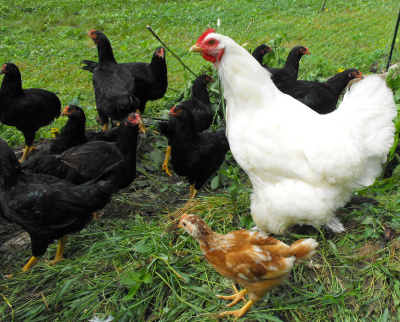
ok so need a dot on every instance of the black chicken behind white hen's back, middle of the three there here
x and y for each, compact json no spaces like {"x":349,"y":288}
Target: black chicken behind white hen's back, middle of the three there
{"x":290,"y":70}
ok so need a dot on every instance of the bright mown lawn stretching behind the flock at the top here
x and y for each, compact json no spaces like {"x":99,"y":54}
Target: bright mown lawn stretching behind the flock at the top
{"x":47,"y":39}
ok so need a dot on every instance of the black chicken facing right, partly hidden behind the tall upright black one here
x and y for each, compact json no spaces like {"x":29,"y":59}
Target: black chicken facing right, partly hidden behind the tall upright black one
{"x":150,"y":79}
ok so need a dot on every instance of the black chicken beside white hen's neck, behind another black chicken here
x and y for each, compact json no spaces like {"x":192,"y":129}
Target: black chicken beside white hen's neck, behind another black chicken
{"x":200,"y":106}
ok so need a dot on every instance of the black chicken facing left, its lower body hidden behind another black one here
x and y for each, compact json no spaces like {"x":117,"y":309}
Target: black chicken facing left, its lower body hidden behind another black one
{"x":73,"y":133}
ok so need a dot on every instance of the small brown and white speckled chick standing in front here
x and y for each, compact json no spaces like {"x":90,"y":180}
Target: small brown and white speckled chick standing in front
{"x":250,"y":258}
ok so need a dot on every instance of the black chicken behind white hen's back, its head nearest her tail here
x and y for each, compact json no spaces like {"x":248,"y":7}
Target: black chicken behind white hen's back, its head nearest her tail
{"x":321,"y":97}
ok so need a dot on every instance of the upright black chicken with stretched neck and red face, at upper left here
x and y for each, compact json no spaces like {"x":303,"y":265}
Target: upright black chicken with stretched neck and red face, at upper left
{"x":114,"y":87}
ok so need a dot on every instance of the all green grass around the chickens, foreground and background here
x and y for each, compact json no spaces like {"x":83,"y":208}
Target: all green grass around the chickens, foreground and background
{"x":127,"y":264}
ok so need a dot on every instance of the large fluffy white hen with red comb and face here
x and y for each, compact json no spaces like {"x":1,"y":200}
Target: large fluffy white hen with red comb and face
{"x":303,"y":166}
